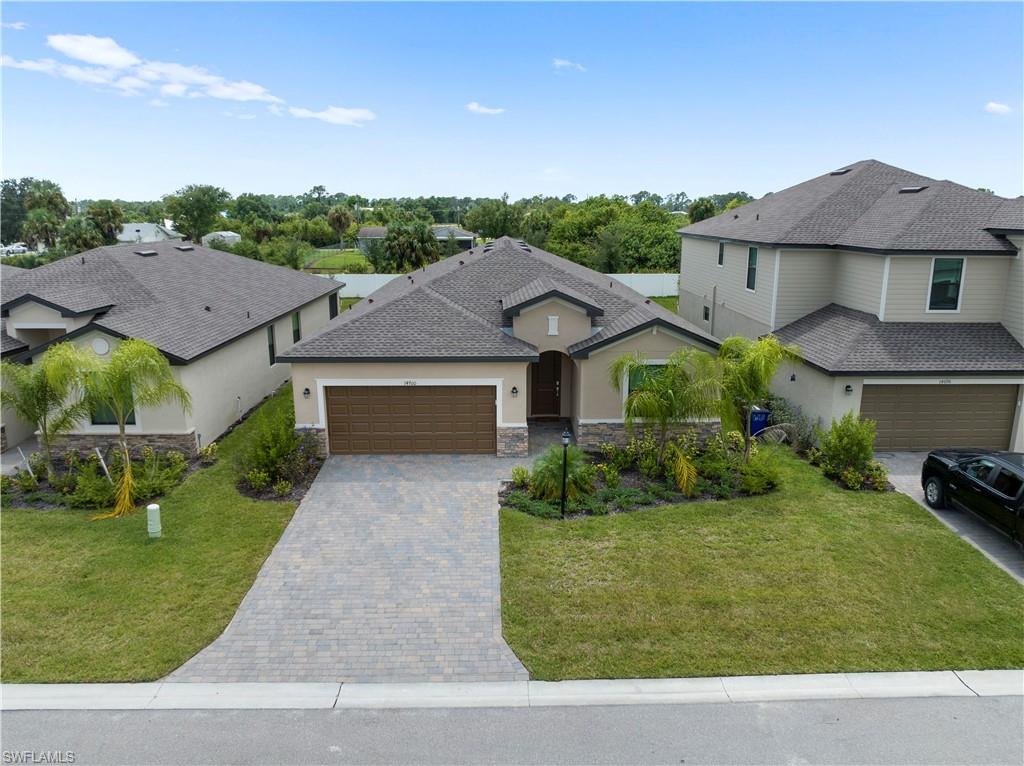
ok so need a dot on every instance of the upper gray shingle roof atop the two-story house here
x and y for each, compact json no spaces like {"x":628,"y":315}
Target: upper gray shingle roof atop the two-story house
{"x":865,"y":209}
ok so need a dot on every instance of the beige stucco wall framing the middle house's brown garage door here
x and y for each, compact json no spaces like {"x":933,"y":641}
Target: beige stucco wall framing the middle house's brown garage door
{"x":315,"y":376}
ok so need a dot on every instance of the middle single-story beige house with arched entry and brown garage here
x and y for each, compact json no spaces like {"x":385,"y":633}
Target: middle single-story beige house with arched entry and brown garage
{"x":456,"y":358}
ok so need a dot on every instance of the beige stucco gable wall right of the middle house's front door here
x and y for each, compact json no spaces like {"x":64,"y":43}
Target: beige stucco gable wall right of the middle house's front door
{"x":599,"y":399}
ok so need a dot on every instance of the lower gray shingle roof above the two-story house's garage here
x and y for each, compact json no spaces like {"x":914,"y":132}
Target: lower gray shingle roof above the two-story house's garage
{"x":841,"y":341}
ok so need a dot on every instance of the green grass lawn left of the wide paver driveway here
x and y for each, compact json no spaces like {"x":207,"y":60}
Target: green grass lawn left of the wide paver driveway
{"x":99,"y":602}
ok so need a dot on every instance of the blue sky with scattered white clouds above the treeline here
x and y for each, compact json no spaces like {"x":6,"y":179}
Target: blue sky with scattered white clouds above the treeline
{"x":374,"y":99}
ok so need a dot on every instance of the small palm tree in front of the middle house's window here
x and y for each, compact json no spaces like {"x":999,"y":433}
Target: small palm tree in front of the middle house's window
{"x":686,"y":389}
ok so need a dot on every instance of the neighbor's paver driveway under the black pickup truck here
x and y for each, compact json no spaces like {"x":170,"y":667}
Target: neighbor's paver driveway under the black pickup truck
{"x":905,"y":474}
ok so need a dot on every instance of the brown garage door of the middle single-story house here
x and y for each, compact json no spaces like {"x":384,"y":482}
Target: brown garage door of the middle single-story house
{"x":411,"y":419}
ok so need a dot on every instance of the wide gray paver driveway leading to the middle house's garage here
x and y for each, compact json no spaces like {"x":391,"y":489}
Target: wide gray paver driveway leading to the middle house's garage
{"x":389,"y":572}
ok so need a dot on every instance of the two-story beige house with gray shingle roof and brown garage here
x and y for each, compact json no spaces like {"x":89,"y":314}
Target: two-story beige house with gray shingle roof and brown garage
{"x":906,"y":295}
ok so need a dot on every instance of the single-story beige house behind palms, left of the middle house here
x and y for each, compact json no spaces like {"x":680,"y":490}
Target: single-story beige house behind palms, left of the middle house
{"x":220,"y":319}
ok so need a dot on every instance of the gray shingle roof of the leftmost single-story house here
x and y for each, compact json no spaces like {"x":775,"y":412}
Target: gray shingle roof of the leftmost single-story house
{"x":164,"y":299}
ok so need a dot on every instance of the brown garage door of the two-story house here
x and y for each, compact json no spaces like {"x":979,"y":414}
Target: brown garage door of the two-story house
{"x":937,"y":416}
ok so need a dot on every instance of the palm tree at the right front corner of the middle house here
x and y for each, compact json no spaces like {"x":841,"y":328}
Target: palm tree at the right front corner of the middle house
{"x":748,"y":369}
